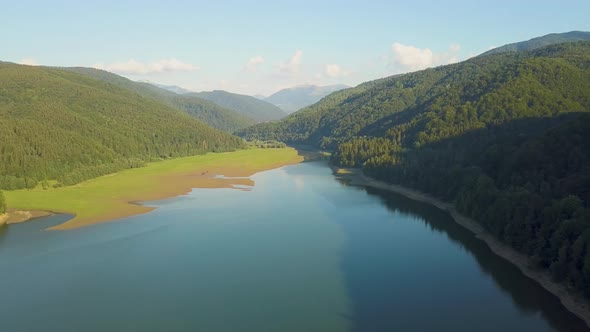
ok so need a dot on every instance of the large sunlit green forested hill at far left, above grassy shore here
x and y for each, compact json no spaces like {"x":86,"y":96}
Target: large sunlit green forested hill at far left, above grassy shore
{"x":62,"y":125}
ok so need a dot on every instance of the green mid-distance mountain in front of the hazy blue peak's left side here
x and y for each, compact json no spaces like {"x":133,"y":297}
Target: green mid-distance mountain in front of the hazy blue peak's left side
{"x":258,"y":110}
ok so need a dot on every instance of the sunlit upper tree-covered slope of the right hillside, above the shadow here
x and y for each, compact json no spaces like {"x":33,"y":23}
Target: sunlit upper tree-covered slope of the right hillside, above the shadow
{"x":425,"y":106}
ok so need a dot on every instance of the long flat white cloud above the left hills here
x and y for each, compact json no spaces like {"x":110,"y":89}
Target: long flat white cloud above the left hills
{"x":134,"y":67}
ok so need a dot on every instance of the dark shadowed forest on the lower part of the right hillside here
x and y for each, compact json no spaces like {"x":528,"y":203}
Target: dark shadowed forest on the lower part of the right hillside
{"x":528,"y":183}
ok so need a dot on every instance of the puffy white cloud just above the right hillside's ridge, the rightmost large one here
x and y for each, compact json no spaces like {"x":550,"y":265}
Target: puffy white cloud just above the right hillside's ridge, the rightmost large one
{"x":411,"y":58}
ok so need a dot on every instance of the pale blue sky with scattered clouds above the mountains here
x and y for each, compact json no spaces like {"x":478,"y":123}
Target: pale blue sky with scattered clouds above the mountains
{"x":259,"y":46}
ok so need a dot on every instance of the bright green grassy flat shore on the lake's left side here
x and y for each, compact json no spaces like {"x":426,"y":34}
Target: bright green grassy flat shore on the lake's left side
{"x":116,"y":195}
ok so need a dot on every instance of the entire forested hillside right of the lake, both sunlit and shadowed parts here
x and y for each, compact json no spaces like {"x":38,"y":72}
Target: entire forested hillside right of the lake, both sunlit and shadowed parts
{"x":504,"y":137}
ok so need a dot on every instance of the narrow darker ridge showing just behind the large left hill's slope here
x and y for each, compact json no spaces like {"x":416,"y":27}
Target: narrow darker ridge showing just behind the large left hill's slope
{"x":204,"y":110}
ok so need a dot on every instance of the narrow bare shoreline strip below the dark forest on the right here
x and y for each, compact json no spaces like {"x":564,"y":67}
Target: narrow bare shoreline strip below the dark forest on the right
{"x":575,"y":303}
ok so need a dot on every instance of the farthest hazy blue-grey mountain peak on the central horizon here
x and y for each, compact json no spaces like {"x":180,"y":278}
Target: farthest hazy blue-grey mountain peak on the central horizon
{"x":293,"y":99}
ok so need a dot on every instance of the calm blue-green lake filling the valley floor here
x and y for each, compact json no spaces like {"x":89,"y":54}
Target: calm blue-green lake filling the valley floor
{"x":299,"y":251}
